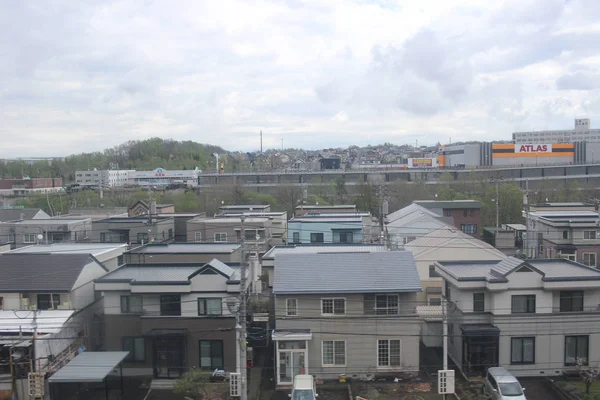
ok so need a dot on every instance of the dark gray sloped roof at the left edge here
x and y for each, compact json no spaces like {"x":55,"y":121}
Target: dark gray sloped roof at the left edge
{"x":41,"y":272}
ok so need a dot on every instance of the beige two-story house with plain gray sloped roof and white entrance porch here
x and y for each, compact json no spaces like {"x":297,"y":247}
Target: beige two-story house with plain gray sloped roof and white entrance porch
{"x":345,"y":314}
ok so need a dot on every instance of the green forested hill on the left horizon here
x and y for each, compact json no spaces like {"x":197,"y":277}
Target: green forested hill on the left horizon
{"x":139,"y":154}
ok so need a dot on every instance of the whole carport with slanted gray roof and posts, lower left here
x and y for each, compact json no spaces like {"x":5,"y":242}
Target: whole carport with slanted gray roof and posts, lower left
{"x":88,"y":367}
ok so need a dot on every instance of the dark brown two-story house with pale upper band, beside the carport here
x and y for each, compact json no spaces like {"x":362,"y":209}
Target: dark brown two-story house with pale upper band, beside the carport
{"x":172,"y":318}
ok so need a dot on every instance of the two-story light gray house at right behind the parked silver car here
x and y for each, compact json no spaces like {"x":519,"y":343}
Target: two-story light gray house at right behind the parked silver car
{"x":533,"y":317}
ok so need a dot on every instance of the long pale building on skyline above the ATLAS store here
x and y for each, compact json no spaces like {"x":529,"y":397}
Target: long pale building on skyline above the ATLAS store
{"x":580,"y":133}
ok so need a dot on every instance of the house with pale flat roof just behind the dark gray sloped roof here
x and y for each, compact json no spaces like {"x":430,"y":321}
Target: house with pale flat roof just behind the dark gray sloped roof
{"x":110,"y":255}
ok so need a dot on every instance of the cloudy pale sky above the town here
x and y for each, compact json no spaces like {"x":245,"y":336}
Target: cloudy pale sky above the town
{"x":81,"y":76}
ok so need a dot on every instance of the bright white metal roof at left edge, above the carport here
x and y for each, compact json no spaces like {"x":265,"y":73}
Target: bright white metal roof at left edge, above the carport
{"x":47,"y":321}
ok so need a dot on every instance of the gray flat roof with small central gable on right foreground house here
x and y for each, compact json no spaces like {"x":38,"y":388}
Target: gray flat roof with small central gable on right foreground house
{"x":554,"y":269}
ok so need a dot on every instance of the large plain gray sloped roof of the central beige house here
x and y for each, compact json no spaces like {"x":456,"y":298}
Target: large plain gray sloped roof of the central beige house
{"x":393,"y":271}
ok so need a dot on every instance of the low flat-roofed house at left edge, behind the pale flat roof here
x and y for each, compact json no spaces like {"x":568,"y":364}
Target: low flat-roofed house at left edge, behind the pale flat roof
{"x":51,"y":230}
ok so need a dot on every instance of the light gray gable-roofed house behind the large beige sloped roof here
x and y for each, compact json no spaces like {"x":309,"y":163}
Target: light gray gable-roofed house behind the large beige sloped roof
{"x":412,"y":222}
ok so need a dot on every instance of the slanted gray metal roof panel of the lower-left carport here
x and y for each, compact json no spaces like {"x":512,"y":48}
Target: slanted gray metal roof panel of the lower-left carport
{"x":91,"y":366}
